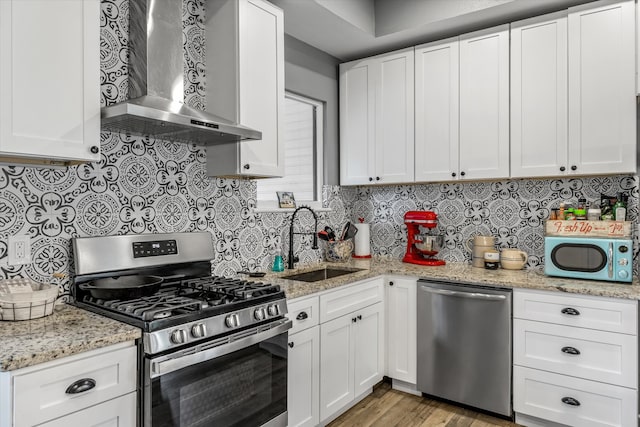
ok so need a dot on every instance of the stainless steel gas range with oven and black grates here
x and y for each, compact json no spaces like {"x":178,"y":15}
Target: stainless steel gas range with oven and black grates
{"x":213,"y":350}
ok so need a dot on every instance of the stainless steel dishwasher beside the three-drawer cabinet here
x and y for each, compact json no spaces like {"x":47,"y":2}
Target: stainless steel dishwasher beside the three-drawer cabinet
{"x":464,"y":344}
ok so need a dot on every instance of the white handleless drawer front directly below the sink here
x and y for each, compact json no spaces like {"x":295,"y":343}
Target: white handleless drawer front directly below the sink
{"x":346,"y":300}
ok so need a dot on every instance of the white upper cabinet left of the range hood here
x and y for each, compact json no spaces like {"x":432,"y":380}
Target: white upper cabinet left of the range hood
{"x":49,"y":81}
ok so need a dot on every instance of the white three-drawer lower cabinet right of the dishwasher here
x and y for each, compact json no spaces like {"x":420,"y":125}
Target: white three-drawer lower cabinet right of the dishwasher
{"x":575,"y":360}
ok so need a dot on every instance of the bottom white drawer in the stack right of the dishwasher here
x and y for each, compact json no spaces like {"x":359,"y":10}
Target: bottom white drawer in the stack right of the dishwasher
{"x":543,"y":394}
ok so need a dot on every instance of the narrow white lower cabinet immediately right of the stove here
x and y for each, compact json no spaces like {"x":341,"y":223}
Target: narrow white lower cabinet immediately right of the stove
{"x":303,"y":401}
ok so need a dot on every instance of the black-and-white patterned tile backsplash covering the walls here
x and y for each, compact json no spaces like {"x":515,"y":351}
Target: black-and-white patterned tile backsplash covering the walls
{"x":143,"y":185}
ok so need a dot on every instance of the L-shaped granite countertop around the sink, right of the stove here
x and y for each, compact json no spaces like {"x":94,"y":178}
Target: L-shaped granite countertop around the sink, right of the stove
{"x":456,"y":272}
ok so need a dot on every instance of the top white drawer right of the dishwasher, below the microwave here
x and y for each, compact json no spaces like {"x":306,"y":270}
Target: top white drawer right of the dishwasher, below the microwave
{"x":605,"y":314}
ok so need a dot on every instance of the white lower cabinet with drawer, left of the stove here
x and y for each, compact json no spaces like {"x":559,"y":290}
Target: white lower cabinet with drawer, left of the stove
{"x":97,"y":387}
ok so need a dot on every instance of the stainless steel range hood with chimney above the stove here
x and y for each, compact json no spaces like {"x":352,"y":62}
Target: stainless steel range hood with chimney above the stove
{"x":156,"y":84}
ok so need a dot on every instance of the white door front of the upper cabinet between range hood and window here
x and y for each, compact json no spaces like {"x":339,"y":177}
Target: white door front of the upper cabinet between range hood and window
{"x":261,"y":77}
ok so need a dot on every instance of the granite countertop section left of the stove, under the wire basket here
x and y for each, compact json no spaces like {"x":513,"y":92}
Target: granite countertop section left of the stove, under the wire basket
{"x":69,"y":330}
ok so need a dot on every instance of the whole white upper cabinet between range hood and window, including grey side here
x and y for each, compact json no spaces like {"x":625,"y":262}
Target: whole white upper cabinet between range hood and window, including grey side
{"x":245,"y":83}
